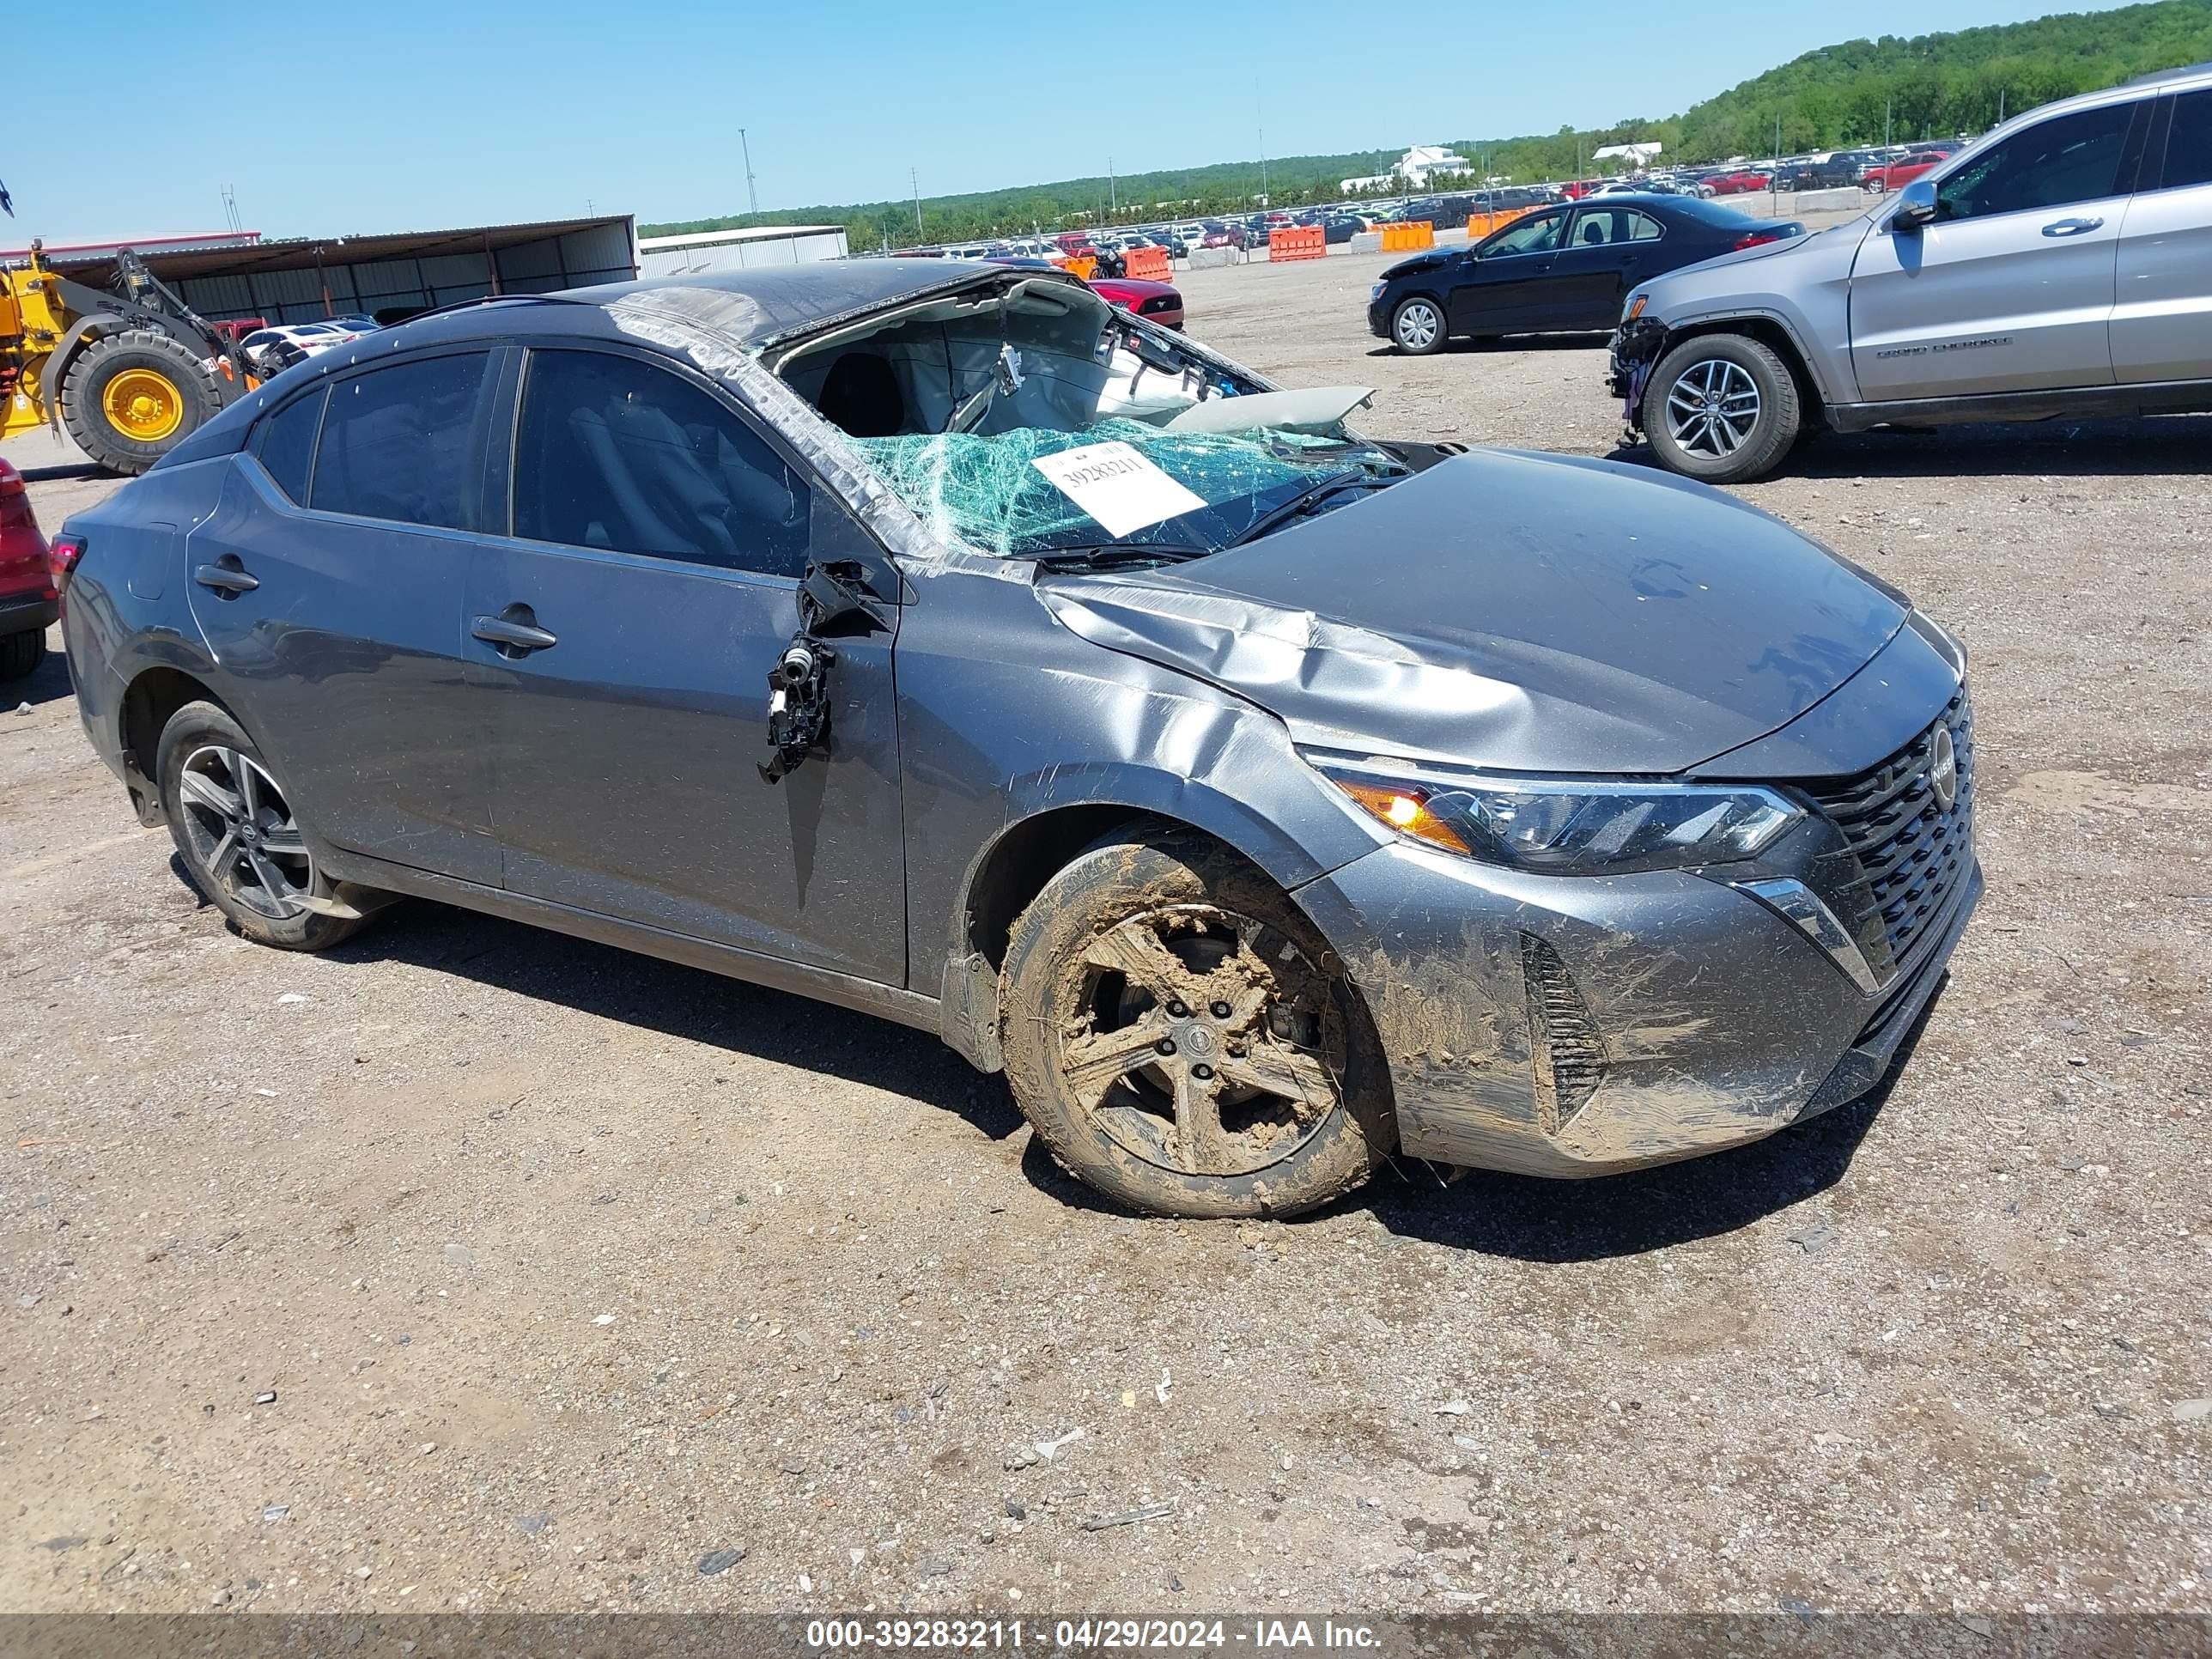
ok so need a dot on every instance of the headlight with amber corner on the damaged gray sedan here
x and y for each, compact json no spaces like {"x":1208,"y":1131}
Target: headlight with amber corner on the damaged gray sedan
{"x":1565,"y":826}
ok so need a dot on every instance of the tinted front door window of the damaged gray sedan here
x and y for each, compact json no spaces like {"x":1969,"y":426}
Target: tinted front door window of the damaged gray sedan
{"x":634,"y":459}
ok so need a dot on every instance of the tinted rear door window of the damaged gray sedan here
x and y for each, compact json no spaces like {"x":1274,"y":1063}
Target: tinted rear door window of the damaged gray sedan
{"x":397,"y":444}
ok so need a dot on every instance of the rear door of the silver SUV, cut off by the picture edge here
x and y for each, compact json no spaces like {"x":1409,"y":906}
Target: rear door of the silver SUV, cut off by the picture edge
{"x":2162,"y":313}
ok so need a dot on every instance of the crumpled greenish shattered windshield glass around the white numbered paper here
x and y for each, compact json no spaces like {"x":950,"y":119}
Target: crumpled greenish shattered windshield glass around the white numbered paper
{"x":992,"y":494}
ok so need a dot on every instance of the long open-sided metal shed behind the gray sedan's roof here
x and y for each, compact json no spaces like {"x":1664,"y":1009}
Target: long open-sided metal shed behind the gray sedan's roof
{"x":386,"y":275}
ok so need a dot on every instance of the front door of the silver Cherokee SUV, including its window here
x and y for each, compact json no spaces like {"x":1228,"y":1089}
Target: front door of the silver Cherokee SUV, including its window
{"x":2012,"y":284}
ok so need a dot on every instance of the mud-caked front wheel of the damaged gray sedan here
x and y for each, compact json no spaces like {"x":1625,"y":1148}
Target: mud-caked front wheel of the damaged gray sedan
{"x":1180,"y":1036}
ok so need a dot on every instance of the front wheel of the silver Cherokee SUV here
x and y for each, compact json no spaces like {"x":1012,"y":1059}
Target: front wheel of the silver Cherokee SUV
{"x":1722,"y":408}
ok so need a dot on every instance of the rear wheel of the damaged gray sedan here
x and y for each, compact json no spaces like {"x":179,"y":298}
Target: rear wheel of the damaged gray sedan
{"x":238,"y":835}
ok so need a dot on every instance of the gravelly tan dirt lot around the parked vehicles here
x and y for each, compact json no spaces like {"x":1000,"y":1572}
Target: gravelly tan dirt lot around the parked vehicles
{"x":474,"y":1266}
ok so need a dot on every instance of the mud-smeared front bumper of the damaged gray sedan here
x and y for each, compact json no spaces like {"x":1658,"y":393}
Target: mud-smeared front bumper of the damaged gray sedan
{"x":1596,"y":1025}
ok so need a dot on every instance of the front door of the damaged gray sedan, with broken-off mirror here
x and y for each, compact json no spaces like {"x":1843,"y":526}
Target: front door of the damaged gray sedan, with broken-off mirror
{"x":625,"y":636}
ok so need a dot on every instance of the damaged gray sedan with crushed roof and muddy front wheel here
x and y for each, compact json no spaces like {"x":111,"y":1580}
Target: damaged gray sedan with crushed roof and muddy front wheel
{"x":935,"y":640}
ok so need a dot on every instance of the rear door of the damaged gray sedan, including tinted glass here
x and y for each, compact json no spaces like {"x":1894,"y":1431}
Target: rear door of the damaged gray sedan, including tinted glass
{"x":328,"y":585}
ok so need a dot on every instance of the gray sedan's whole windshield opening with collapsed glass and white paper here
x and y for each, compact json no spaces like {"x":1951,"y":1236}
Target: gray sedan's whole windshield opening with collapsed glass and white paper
{"x":1032,"y":421}
